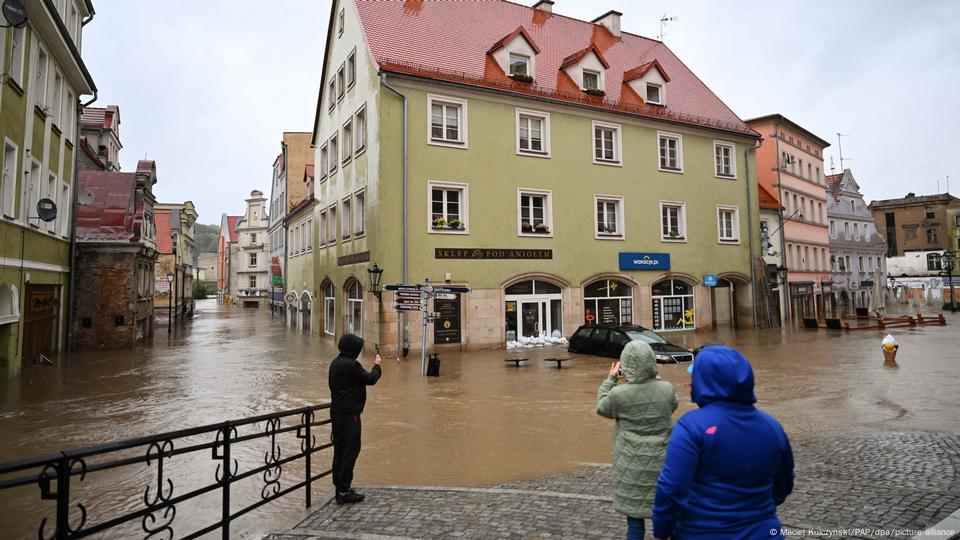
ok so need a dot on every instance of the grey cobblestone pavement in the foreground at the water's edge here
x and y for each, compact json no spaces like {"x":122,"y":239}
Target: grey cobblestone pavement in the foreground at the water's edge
{"x":877,"y":481}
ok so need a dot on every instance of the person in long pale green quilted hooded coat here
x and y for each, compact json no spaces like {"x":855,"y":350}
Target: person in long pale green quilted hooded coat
{"x":642,"y":409}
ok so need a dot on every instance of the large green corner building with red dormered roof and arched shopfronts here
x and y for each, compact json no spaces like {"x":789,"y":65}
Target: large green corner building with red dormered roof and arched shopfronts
{"x":566,"y":171}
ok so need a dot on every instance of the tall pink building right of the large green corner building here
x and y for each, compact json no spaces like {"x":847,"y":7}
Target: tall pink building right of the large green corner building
{"x":790,"y":166}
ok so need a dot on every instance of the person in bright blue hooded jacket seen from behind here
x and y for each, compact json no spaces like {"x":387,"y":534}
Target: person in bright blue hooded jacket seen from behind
{"x":729,"y":465}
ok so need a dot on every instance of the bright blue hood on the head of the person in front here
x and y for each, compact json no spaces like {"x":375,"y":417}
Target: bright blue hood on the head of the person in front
{"x":722,"y":374}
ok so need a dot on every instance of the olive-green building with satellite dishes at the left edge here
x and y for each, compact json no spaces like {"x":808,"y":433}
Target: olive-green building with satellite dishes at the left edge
{"x":43,"y":79}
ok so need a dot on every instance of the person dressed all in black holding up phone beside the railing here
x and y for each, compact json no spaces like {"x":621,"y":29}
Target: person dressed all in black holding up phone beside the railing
{"x":348,"y":392}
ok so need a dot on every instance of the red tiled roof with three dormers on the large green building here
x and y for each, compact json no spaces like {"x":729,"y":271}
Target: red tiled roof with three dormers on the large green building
{"x":449,"y":41}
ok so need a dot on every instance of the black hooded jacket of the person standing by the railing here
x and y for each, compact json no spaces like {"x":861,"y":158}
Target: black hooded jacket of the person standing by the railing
{"x":348,"y":380}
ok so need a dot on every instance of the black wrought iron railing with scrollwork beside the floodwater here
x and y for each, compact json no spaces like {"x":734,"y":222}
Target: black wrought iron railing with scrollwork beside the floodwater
{"x":57,"y":476}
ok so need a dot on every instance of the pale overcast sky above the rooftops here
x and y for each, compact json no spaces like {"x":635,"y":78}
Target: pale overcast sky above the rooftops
{"x":206,"y":88}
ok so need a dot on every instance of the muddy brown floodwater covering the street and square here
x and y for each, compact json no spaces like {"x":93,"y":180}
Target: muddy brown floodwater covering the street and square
{"x":482,"y":421}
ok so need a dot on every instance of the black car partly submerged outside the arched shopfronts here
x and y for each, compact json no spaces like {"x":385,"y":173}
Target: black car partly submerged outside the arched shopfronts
{"x":609,"y":340}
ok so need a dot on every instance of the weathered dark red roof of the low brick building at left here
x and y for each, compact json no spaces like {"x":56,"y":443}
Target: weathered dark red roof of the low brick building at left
{"x":111,"y":215}
